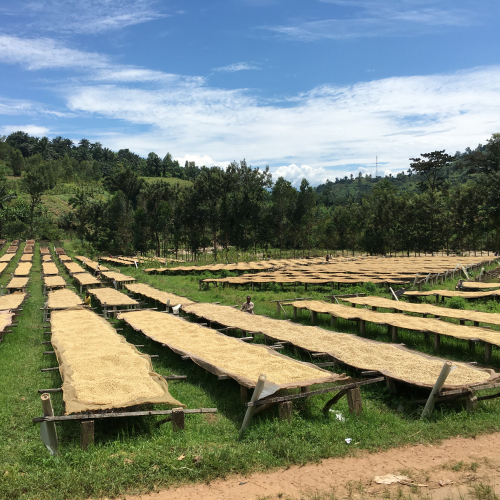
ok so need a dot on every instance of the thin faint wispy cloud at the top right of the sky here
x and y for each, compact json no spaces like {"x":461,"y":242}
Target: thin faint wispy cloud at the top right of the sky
{"x":371,"y":19}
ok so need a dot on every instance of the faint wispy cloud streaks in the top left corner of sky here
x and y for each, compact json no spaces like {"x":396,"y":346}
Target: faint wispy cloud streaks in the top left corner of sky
{"x":87,"y":16}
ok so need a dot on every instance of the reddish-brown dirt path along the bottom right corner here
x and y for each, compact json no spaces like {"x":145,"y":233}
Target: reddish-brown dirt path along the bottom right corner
{"x":457,"y":468}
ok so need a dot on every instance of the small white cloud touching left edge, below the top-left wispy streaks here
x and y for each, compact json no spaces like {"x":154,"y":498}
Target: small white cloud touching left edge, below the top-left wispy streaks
{"x":43,"y":53}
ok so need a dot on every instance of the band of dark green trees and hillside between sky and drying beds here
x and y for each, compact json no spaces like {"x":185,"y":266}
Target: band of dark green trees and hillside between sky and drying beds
{"x":122,"y":202}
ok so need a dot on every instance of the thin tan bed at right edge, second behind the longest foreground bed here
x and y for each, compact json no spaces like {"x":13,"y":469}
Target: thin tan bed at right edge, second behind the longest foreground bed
{"x":491,"y":318}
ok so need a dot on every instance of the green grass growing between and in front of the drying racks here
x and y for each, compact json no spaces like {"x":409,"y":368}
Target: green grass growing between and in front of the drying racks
{"x":134,"y":455}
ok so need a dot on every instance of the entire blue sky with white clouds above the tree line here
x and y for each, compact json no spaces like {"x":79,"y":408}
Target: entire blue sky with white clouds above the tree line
{"x":314,"y":88}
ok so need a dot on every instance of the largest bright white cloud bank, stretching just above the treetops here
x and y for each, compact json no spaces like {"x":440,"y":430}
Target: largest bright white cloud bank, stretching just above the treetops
{"x":341,"y":127}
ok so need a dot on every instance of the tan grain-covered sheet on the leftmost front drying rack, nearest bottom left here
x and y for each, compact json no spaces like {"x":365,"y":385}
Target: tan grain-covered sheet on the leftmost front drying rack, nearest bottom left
{"x":99,"y":368}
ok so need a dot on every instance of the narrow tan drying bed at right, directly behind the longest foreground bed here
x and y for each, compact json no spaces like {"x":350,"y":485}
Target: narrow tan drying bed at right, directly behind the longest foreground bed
{"x":402,"y":321}
